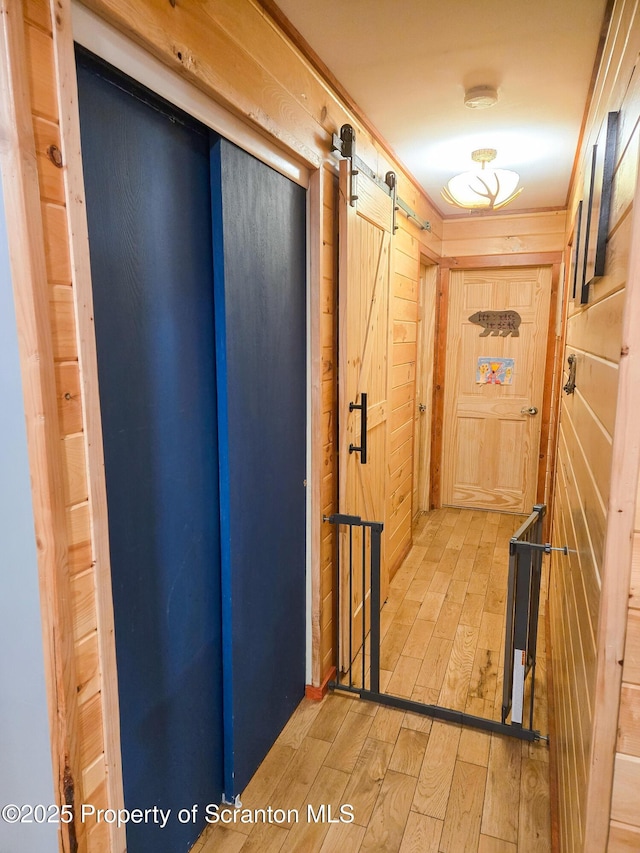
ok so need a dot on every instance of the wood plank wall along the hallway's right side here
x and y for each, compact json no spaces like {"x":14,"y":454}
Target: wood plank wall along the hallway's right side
{"x":582,"y":585}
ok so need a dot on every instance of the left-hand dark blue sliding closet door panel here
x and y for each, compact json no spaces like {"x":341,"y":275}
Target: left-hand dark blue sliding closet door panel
{"x":147,"y":178}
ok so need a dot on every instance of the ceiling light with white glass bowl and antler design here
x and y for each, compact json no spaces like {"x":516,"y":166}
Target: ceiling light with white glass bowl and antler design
{"x":485,"y":188}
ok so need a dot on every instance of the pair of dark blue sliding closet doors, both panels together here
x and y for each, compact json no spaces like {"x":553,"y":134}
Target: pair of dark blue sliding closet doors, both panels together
{"x":198,"y":259}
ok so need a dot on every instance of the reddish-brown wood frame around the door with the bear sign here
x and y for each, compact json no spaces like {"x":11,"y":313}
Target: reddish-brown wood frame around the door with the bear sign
{"x":547,"y":450}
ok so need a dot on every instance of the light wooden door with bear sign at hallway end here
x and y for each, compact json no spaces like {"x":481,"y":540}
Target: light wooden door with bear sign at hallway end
{"x":494,"y":384}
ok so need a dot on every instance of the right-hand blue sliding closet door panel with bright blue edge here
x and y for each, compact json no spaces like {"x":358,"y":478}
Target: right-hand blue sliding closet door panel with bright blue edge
{"x":259,"y":237}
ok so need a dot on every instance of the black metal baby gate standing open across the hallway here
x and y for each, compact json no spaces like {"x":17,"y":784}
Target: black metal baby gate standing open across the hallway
{"x":357,"y":639}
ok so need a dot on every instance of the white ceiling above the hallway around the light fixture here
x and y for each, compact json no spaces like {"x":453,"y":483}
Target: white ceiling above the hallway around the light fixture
{"x":407,"y":63}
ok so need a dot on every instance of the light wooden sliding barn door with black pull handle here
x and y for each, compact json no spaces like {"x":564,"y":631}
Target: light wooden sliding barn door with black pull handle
{"x":364,"y":347}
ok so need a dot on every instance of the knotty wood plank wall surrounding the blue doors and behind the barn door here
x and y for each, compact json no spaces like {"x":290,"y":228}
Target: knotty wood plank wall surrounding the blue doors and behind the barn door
{"x":233,"y":52}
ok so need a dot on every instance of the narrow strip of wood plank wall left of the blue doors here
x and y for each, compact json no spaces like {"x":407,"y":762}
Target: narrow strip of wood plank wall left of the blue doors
{"x":92,"y":773}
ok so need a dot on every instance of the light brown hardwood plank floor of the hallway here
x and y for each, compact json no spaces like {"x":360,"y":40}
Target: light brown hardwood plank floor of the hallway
{"x":413,"y":784}
